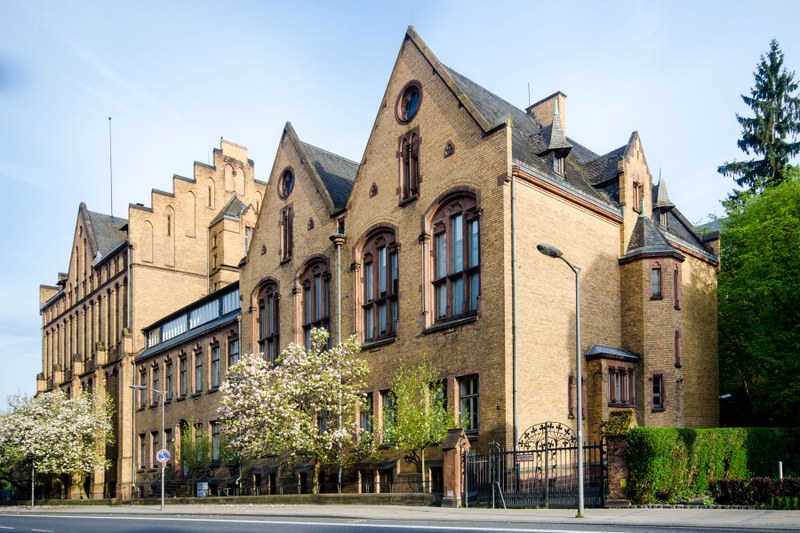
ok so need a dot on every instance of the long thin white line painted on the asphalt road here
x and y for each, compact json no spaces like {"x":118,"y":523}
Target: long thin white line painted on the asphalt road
{"x":344,"y":523}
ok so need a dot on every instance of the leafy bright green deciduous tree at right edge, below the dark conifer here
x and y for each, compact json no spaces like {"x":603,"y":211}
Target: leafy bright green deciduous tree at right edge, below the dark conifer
{"x":759,"y":309}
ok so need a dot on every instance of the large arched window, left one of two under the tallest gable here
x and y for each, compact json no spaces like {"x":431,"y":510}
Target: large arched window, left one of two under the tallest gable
{"x":380,"y":308}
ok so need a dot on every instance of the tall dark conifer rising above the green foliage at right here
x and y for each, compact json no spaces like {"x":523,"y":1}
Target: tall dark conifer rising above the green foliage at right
{"x":770,"y":134}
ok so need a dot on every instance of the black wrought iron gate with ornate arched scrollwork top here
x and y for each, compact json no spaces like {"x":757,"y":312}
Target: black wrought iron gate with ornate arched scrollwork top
{"x":541,"y":472}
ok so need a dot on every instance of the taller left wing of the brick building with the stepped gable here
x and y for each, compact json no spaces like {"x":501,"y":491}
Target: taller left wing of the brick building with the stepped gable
{"x":127,"y":274}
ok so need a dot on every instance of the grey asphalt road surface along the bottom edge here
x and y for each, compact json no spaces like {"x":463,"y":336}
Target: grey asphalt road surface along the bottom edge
{"x":55,"y":523}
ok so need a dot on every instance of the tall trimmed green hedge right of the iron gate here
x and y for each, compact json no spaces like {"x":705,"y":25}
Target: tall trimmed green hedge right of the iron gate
{"x":671,"y":464}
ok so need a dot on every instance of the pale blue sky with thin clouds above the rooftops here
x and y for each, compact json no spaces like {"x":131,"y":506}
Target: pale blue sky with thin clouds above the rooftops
{"x":176,"y":76}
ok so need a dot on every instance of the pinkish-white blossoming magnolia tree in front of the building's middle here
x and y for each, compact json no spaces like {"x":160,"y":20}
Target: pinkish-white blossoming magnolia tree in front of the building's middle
{"x":293,"y":407}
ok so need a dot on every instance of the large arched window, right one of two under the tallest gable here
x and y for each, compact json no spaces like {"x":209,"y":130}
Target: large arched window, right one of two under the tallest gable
{"x":456,"y":263}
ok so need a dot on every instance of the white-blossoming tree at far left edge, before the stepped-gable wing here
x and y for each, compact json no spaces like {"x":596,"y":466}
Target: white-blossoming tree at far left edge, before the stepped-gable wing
{"x":56,"y":434}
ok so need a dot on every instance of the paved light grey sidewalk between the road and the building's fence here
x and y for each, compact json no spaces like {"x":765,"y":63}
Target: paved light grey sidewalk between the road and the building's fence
{"x":666,"y":517}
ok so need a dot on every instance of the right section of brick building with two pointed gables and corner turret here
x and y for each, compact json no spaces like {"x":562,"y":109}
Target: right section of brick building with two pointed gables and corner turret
{"x":454,"y":191}
